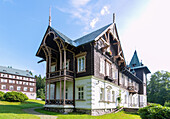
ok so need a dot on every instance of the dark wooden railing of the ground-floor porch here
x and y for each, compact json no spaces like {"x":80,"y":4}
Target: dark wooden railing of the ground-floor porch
{"x":59,"y":102}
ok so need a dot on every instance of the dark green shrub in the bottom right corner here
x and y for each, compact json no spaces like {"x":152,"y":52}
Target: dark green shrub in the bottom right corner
{"x":154,"y":111}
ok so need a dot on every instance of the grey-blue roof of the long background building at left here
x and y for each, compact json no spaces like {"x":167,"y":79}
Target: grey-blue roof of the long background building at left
{"x":10,"y":70}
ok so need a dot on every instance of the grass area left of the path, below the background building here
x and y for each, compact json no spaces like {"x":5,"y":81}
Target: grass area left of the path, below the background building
{"x":13,"y":110}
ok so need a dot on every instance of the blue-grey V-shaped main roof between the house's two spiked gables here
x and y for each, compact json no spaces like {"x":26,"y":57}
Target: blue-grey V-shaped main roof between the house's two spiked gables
{"x":83,"y":40}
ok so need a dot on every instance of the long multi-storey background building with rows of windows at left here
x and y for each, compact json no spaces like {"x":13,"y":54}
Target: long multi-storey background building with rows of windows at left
{"x":17,"y":80}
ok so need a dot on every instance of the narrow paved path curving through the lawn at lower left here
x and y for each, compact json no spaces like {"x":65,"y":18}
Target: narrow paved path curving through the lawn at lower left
{"x":42,"y":116}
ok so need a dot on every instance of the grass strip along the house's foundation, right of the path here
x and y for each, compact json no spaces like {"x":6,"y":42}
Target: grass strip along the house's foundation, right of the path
{"x":119,"y":115}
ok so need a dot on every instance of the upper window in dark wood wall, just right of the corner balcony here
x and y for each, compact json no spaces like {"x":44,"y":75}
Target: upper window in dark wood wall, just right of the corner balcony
{"x":81,"y":64}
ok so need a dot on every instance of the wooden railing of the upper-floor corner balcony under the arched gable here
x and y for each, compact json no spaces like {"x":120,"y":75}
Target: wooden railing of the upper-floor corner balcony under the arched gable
{"x":60,"y":73}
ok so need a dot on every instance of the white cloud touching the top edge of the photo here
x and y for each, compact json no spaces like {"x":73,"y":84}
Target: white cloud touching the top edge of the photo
{"x":79,"y":3}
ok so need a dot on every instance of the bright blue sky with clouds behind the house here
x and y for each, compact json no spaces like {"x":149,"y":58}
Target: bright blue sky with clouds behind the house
{"x":143,"y":25}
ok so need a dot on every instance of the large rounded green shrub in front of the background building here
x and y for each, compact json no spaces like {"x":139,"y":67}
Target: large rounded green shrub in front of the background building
{"x":15,"y":97}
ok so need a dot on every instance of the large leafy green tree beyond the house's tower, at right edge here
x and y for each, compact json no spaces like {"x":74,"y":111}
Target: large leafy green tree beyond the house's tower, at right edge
{"x":158,"y":88}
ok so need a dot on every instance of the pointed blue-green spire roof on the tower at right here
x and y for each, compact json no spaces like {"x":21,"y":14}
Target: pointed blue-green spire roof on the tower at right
{"x":135,"y":60}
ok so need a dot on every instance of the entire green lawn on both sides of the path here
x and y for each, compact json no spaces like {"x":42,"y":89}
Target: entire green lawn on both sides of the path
{"x":13,"y":110}
